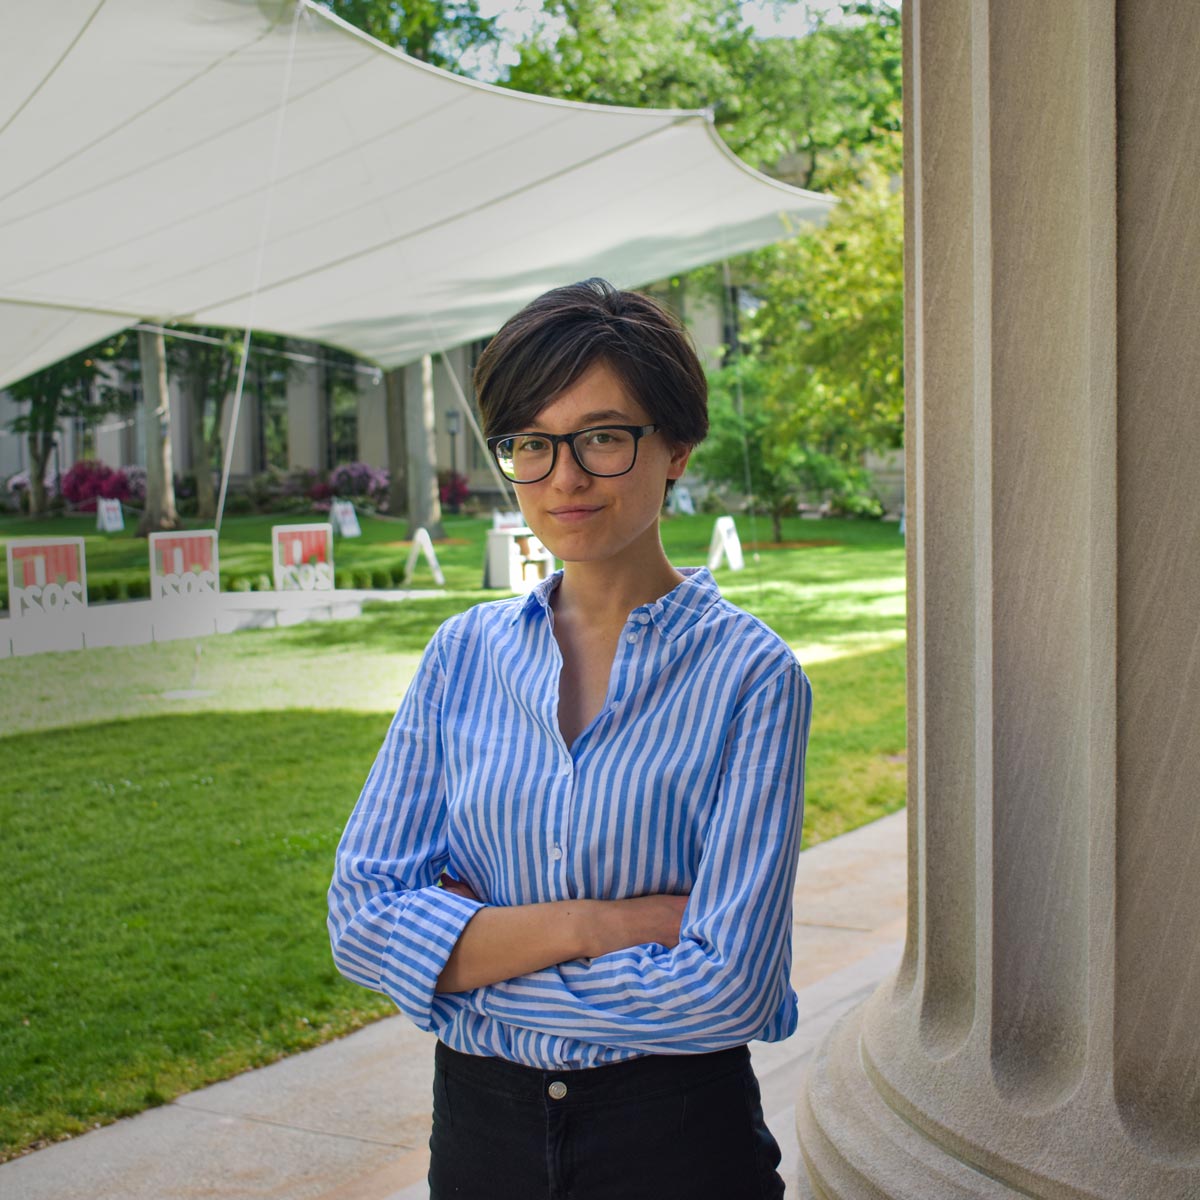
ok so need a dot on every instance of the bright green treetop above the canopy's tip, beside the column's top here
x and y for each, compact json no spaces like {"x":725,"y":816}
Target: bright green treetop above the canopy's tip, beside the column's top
{"x":799,"y":107}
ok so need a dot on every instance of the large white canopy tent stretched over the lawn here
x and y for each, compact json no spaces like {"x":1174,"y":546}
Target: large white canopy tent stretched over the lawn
{"x":263,"y":165}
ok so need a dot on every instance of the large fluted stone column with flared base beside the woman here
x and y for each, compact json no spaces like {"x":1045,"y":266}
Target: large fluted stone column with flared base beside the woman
{"x":1042,"y":1036}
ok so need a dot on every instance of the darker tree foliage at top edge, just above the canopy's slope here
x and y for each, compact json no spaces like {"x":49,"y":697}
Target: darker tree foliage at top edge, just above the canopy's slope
{"x":436,"y":32}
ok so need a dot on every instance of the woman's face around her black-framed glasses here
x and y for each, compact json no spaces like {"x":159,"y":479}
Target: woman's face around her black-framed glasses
{"x":583,"y":518}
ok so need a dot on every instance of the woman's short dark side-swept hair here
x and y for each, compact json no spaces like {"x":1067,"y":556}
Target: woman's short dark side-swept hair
{"x":555,"y":340}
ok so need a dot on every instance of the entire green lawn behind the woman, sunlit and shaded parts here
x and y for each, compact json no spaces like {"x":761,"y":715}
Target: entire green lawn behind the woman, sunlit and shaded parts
{"x":171,"y":812}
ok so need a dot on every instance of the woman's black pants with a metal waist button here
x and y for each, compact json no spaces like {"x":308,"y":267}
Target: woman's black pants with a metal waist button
{"x":670,"y":1127}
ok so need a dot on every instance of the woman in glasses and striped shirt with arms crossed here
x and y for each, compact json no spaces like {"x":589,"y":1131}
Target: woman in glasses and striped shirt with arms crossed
{"x":574,"y":857}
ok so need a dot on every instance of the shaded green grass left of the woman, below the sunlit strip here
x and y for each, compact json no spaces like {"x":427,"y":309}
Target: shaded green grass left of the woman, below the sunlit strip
{"x":164,"y":914}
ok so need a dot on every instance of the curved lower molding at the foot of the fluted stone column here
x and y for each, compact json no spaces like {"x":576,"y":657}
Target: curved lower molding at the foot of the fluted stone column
{"x":856,"y":1148}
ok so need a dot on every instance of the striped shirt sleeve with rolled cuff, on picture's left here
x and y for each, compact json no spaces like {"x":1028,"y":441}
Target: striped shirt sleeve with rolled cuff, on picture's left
{"x":391,"y":926}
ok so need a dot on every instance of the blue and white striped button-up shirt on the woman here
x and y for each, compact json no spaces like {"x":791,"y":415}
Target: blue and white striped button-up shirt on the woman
{"x":689,"y":781}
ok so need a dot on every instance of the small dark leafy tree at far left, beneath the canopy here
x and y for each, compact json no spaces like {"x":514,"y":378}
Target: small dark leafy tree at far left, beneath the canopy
{"x":76,"y":387}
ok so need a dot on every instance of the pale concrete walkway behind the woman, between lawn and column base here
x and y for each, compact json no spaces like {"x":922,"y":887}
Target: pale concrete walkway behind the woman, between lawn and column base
{"x":351,"y":1120}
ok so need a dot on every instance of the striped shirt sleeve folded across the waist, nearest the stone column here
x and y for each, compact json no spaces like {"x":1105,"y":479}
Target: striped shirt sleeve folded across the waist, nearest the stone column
{"x":730,"y":974}
